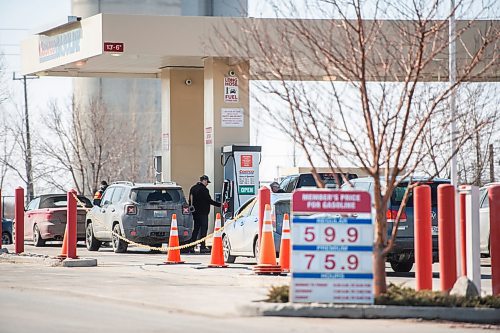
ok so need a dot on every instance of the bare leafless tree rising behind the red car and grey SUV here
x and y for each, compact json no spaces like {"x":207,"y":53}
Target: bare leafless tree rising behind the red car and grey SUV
{"x":77,"y":145}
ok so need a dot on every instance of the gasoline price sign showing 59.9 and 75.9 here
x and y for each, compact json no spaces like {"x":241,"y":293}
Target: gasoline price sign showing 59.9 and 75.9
{"x":332,"y":245}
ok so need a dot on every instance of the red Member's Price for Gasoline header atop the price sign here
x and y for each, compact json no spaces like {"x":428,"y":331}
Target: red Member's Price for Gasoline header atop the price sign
{"x":332,"y":201}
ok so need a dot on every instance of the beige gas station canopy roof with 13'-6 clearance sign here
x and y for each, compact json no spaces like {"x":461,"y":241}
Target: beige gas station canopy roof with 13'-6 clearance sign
{"x":107,"y":45}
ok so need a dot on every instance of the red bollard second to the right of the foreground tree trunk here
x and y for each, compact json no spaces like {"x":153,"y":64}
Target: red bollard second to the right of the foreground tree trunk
{"x":446,"y":227}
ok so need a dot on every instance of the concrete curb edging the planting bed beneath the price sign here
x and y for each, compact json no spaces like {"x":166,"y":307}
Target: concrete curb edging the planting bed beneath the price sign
{"x":470,"y":315}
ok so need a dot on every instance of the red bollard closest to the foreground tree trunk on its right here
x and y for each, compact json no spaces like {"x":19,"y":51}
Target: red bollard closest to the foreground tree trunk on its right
{"x":423,"y":236}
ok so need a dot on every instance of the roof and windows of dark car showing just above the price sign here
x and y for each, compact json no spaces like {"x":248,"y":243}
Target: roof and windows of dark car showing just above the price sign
{"x":293,"y":182}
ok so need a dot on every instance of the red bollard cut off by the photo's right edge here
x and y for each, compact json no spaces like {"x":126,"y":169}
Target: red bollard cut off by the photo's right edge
{"x":494,"y":197}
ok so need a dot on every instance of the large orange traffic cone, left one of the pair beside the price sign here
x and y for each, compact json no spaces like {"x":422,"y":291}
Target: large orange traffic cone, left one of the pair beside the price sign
{"x":267,"y":256}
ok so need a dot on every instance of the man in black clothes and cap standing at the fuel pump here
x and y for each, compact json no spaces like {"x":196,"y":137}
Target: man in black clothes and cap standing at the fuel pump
{"x":199,"y":198}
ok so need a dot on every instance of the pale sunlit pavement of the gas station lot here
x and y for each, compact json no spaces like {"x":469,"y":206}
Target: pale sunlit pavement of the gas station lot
{"x":134,"y":292}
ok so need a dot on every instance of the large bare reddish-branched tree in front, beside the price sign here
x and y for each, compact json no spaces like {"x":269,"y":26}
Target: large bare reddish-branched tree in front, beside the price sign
{"x":390,"y":98}
